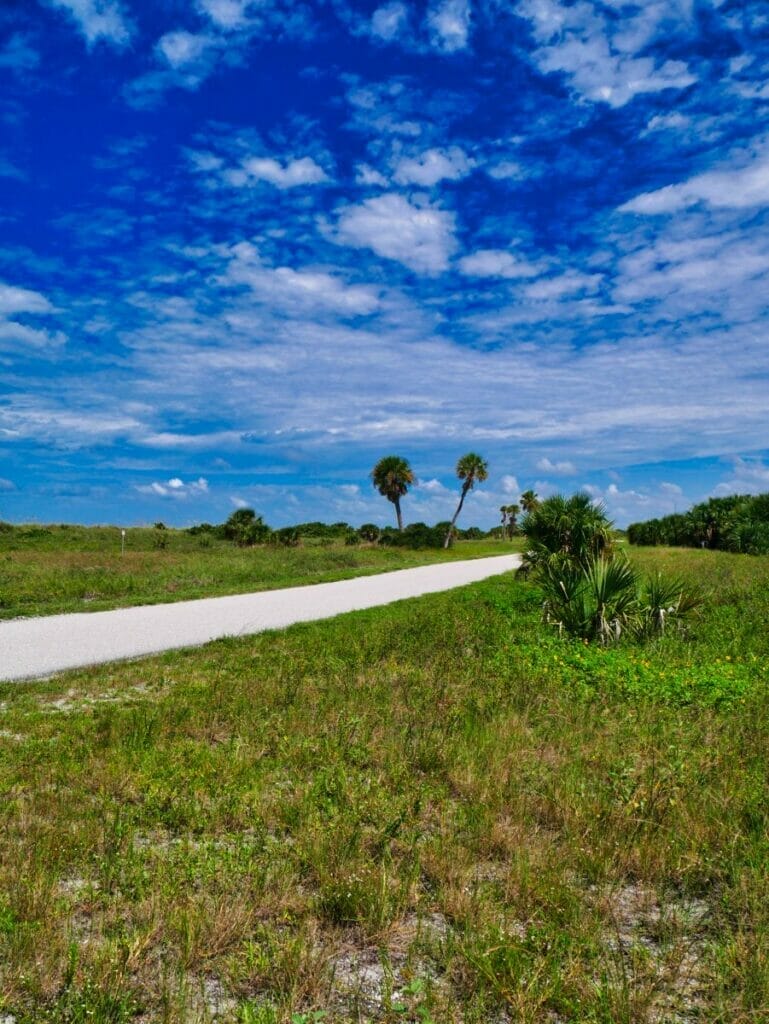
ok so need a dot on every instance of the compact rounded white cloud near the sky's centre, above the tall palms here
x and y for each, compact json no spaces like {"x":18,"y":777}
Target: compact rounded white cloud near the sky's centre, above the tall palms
{"x":419,"y":237}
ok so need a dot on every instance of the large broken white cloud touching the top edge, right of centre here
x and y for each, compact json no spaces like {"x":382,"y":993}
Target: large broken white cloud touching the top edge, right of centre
{"x":600,"y":53}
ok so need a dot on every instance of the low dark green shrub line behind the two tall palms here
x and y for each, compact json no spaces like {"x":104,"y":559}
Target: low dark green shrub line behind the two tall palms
{"x":246,"y":529}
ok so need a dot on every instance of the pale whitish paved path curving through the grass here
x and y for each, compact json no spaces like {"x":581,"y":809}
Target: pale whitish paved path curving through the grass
{"x":34,"y":648}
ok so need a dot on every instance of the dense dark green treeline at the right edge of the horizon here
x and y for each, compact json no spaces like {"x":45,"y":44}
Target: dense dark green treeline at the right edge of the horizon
{"x":740,"y":523}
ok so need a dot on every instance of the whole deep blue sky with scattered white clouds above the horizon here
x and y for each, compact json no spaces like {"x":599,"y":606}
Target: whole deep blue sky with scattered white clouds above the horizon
{"x":247,"y":247}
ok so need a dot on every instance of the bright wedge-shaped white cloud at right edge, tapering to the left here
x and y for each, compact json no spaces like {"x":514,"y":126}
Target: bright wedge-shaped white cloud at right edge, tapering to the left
{"x":729,"y":188}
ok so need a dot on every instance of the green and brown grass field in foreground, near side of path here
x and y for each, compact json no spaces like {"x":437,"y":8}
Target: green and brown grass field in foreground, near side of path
{"x":431,"y":813}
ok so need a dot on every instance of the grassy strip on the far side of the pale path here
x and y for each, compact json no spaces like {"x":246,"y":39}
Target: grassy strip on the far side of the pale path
{"x":47,"y":571}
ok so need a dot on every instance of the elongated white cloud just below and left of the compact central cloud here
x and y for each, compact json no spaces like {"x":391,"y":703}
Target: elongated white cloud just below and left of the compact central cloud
{"x":284,"y":287}
